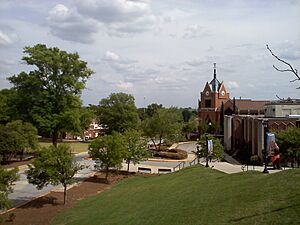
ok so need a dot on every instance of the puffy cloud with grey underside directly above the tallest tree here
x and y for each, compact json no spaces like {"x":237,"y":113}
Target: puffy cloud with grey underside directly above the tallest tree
{"x":67,"y":24}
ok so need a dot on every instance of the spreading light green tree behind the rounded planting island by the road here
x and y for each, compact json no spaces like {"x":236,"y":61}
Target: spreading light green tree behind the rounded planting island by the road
{"x":164,"y":124}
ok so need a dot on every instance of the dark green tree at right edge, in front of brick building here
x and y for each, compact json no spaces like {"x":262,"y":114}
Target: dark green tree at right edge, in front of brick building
{"x":289,"y":143}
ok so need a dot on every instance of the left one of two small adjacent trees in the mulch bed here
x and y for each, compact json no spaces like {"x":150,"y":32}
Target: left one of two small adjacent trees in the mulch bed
{"x":109,"y":151}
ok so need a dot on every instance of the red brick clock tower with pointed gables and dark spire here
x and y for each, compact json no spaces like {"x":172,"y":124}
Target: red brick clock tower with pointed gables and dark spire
{"x":211,"y":99}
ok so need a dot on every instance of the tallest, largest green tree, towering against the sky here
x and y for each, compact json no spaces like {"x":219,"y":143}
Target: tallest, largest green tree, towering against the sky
{"x":49,"y":96}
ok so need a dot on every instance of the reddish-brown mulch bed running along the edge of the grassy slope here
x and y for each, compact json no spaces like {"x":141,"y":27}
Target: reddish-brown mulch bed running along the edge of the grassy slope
{"x":42,"y":210}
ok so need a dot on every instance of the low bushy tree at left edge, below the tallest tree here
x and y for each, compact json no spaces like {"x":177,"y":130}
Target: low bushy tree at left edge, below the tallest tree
{"x":15,"y":138}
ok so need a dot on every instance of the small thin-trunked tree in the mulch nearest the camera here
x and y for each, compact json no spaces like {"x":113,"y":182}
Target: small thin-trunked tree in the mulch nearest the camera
{"x":54,"y":165}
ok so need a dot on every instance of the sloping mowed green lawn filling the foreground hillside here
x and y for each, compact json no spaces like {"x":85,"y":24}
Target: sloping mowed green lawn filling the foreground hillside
{"x":195,"y":195}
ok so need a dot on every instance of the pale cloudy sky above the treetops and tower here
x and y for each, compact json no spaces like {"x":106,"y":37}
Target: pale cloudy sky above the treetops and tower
{"x":161,"y":51}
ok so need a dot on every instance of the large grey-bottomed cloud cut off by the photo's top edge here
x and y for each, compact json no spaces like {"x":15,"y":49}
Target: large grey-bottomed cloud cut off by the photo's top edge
{"x":119,"y":17}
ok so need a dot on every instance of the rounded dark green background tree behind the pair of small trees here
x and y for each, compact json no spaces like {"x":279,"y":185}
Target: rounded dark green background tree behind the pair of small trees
{"x":118,"y":112}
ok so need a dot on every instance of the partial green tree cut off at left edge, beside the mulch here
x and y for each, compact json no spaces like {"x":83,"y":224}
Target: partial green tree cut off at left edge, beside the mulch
{"x":7,"y":178}
